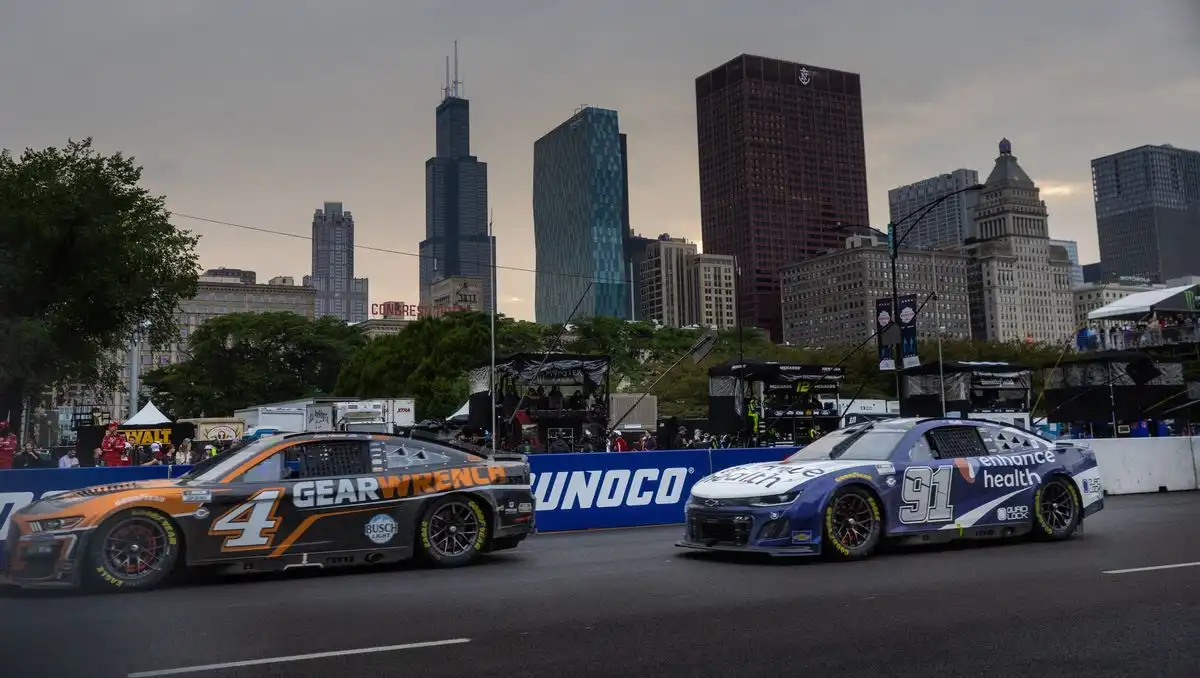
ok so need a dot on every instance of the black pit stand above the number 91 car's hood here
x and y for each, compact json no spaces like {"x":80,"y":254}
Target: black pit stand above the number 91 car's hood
{"x":746,"y":397}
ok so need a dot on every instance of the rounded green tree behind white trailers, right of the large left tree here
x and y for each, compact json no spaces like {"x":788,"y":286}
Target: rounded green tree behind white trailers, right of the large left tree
{"x":247,"y":359}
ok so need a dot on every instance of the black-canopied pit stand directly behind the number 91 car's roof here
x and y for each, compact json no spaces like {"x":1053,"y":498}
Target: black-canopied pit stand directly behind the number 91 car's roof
{"x":1000,"y":392}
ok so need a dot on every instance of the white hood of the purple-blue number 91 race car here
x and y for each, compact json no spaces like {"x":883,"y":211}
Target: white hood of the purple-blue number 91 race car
{"x":771,"y":478}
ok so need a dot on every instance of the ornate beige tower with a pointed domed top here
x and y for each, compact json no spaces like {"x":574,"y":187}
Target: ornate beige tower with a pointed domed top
{"x":1019,"y":281}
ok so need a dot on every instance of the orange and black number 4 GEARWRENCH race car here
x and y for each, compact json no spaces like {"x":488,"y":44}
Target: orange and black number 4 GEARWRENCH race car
{"x":296,"y":501}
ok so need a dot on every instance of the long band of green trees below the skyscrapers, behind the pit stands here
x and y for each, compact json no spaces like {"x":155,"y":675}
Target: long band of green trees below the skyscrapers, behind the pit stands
{"x":431,"y":358}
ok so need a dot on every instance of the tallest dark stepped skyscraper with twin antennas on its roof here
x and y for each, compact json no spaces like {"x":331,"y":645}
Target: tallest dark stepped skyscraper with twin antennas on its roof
{"x":457,"y":244}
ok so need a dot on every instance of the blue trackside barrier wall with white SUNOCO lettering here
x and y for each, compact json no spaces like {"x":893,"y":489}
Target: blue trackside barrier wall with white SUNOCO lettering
{"x":584,"y":491}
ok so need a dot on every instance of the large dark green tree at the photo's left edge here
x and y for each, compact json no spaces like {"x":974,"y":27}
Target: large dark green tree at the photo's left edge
{"x":87,"y":257}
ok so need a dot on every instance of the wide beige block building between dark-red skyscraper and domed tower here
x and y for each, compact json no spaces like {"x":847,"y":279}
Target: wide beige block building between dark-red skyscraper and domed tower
{"x":831,"y":299}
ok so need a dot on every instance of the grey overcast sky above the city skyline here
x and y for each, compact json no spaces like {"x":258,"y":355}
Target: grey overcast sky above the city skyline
{"x":259,"y":111}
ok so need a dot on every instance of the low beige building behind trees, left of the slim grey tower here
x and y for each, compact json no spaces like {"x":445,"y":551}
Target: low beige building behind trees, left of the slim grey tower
{"x":217,"y":296}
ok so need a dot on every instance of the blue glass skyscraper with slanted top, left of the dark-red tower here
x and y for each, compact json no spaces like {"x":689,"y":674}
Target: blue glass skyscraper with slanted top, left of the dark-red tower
{"x":580,"y":219}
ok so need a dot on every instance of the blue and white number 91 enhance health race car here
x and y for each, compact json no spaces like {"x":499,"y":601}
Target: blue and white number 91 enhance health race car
{"x":909,"y":481}
